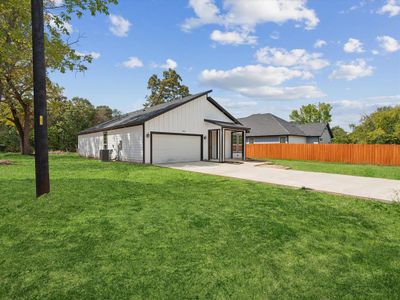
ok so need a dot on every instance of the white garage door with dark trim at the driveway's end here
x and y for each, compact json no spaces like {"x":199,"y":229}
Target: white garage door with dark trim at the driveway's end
{"x":168,"y":148}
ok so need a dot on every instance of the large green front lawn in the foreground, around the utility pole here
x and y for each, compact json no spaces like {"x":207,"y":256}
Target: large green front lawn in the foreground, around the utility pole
{"x":116,"y":230}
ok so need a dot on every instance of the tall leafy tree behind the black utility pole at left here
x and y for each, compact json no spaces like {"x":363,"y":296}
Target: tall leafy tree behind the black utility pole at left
{"x":16,"y":91}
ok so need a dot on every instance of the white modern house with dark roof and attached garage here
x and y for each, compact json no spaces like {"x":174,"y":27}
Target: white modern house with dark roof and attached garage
{"x":192,"y":128}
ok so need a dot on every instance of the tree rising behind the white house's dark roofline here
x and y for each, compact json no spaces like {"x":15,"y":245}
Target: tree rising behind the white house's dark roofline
{"x":166,"y":89}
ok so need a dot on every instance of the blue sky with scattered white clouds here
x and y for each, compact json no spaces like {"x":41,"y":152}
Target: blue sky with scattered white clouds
{"x":256,"y":55}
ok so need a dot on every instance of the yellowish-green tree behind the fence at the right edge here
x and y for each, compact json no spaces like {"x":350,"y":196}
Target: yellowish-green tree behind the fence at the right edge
{"x":380,"y":127}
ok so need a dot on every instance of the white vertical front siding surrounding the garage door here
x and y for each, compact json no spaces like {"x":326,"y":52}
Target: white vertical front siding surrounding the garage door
{"x":187,"y":118}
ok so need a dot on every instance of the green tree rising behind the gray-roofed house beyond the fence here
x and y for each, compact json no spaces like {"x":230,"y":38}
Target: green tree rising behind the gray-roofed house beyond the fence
{"x":312,"y":113}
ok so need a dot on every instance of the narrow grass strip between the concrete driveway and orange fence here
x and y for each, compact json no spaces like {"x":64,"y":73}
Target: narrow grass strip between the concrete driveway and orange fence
{"x":389,"y":172}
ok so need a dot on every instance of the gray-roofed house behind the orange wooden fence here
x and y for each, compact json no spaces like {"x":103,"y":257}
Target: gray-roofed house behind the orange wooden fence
{"x":270,"y":129}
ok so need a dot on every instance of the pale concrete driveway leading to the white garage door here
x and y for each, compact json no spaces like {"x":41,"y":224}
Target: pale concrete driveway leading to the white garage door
{"x":366,"y":187}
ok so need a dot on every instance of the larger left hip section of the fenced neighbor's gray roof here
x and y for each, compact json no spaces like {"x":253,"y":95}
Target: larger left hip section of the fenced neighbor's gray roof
{"x":269,"y":124}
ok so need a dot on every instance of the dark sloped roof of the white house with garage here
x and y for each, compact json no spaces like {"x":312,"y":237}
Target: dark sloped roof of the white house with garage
{"x":140,"y":116}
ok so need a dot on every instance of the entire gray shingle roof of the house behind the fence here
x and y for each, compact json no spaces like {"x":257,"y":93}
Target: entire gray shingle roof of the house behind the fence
{"x":271,"y":125}
